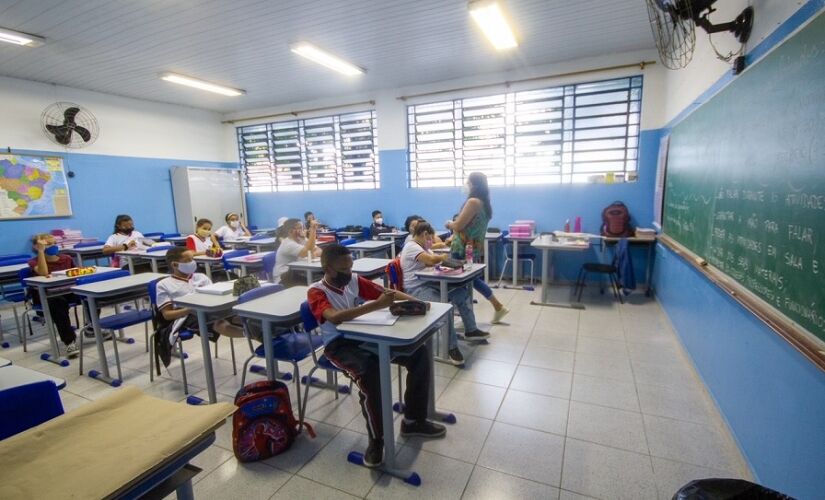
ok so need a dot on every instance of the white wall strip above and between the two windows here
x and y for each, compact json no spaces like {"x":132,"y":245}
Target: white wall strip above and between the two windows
{"x":392,"y":112}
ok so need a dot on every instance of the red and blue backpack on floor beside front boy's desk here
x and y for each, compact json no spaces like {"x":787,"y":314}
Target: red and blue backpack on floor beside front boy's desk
{"x":264,"y":426}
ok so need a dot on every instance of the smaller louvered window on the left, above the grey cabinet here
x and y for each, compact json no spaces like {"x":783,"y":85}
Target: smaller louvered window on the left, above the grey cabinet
{"x":327,"y":153}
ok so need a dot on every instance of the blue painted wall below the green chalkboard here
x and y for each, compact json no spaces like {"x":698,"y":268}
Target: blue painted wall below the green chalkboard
{"x":771,"y":396}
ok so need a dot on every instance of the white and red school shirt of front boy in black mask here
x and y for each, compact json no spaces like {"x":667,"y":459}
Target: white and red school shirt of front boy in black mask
{"x":322,"y":296}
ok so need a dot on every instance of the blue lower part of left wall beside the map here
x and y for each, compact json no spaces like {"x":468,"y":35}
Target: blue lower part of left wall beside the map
{"x":103,"y":187}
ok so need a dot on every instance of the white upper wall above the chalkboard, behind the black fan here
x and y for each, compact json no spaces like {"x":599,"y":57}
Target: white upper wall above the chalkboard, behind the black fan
{"x":685,"y":85}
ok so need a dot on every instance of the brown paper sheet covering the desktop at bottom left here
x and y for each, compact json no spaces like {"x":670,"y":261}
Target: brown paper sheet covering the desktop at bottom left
{"x":97,"y":449}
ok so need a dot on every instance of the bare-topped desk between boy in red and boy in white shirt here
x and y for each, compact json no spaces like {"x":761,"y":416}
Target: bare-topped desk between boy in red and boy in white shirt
{"x":114,"y":291}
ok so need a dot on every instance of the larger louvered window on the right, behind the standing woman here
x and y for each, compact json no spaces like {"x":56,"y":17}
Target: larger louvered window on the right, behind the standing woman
{"x":568,"y":134}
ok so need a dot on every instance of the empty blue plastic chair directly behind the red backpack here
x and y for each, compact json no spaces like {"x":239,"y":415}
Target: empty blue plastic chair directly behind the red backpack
{"x":289,"y":347}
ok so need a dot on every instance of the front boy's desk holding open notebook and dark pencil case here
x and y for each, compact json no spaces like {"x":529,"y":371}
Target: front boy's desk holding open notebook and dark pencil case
{"x":406,"y":331}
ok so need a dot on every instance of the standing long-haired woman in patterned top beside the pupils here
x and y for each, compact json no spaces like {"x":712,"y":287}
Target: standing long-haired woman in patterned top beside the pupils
{"x":470,"y":227}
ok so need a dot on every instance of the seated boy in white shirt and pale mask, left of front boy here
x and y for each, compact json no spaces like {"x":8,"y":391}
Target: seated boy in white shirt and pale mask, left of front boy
{"x":183,"y":281}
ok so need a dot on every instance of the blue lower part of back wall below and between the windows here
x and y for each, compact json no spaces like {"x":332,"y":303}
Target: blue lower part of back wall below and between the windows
{"x":549,"y":205}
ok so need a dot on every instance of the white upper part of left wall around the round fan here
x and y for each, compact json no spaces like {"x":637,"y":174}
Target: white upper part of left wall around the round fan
{"x":128,"y":127}
